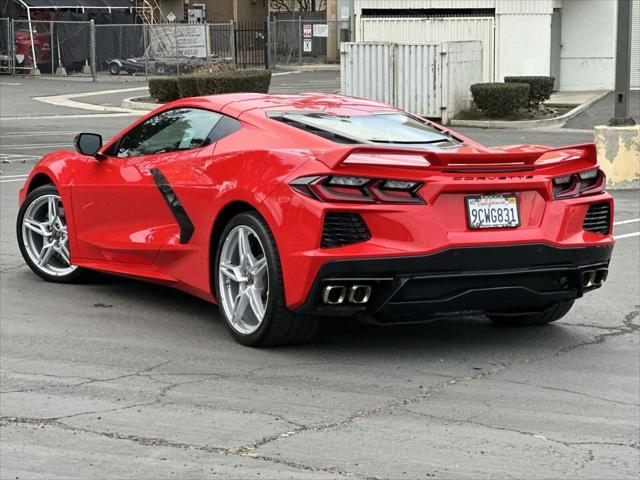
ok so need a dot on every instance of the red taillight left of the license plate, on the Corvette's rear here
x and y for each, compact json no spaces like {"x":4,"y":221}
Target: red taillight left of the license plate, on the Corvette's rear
{"x":345,"y":189}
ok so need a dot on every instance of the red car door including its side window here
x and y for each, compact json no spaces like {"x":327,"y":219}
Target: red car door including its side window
{"x":124,"y":207}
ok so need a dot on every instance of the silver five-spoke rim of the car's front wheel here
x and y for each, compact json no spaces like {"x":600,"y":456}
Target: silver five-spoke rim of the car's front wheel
{"x":45,"y":236}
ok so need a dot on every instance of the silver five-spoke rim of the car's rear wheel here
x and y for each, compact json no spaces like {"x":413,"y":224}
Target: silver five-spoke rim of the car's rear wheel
{"x":243,"y":276}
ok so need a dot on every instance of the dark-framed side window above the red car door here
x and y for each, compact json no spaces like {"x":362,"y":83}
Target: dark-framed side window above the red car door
{"x":178,"y":129}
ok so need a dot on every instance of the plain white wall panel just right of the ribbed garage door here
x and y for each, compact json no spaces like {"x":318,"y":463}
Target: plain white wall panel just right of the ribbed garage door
{"x":523,"y":45}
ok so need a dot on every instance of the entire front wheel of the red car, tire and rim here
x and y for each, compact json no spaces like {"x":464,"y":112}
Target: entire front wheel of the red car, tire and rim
{"x":43,"y":237}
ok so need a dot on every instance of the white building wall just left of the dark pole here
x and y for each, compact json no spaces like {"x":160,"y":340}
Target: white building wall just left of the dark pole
{"x":588,"y":45}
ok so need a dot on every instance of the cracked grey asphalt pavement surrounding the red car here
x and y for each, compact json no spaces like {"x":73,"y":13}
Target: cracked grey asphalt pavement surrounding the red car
{"x":122,"y":379}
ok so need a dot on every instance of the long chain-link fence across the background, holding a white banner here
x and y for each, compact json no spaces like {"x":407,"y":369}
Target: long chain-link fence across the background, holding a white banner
{"x":83,"y":48}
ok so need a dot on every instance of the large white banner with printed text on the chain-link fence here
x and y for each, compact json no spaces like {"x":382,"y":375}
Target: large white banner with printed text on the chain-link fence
{"x":179,"y":40}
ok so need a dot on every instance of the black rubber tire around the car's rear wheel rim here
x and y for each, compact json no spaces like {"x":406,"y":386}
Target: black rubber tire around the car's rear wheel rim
{"x":280,"y":325}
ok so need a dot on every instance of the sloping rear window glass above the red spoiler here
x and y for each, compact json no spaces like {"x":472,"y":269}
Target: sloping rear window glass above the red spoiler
{"x":380,"y":128}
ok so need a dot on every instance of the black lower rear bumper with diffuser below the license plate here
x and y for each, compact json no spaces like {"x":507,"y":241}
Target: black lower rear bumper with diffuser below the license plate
{"x":489,"y":279}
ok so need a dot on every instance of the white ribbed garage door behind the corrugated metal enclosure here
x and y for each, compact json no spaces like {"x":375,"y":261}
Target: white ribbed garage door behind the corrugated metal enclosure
{"x":435,"y":30}
